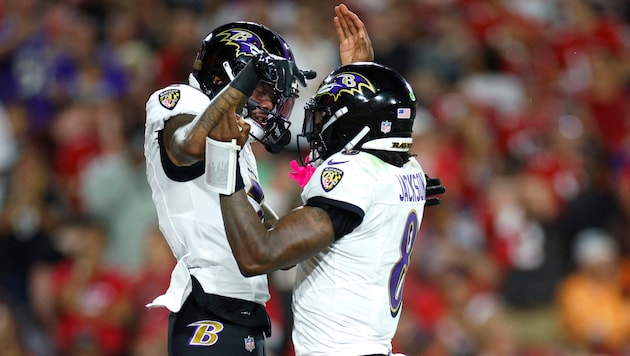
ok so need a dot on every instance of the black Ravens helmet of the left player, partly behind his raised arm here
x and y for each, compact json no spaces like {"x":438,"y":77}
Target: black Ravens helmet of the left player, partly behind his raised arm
{"x":224,"y":53}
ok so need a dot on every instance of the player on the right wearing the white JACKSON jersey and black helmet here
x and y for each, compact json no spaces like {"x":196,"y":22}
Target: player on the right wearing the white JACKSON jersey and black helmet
{"x":353,"y":238}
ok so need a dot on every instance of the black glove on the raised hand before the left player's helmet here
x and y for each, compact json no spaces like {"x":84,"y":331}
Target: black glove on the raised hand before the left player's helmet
{"x":280,"y":72}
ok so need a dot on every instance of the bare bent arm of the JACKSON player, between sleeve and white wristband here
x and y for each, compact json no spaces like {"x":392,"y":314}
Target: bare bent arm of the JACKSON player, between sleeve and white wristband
{"x":257,"y":250}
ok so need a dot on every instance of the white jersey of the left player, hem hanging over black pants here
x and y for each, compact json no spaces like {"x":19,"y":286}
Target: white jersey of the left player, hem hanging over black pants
{"x":190,"y":215}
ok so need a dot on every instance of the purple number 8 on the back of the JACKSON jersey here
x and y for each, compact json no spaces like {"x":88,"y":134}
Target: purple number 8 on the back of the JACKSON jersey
{"x":397,"y":277}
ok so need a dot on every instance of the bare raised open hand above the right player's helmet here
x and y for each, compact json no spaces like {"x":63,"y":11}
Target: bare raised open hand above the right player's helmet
{"x":354,"y":43}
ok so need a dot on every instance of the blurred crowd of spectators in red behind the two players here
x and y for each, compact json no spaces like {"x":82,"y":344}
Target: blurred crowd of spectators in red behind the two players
{"x":524,"y":115}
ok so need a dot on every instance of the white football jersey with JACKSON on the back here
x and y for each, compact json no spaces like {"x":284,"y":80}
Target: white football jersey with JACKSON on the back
{"x":347,"y":299}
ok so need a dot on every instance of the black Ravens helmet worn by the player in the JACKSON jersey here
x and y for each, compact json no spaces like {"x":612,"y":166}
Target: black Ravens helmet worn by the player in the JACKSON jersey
{"x":364,"y":106}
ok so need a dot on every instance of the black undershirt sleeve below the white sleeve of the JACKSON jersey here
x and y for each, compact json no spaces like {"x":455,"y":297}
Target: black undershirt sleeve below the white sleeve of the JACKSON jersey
{"x":345,"y":217}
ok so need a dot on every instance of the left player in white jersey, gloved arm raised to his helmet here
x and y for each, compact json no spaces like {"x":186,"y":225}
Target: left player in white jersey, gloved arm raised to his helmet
{"x":249,"y":68}
